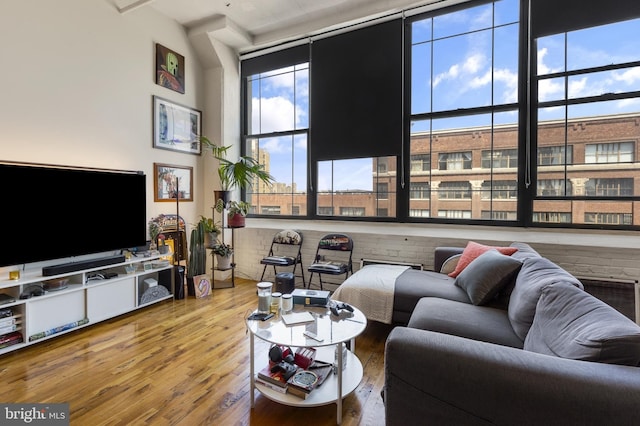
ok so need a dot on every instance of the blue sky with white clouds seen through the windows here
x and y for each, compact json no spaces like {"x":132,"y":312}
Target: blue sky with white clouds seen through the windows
{"x":472,"y":66}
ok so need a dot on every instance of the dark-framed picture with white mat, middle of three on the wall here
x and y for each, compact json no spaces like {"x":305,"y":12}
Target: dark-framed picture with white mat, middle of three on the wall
{"x":176,"y":127}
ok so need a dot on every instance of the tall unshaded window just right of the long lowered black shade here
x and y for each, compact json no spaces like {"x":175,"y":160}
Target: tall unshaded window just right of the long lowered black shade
{"x":464,"y":109}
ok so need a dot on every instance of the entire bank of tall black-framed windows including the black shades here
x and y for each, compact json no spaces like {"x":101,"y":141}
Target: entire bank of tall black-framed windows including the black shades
{"x":478,"y":132}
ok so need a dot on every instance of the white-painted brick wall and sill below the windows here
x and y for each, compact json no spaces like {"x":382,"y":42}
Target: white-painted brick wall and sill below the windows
{"x":611,"y":255}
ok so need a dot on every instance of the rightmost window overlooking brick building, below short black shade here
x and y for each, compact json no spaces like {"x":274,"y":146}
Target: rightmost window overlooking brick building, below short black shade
{"x":588,"y":91}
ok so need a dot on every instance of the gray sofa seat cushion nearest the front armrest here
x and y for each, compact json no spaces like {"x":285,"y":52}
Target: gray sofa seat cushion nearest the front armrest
{"x":464,"y":320}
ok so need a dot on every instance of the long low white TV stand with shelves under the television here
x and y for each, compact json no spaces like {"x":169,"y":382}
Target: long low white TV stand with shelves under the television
{"x":84,"y":301}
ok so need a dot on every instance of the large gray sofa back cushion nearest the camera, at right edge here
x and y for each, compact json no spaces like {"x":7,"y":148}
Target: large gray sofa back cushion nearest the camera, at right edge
{"x":571,"y":323}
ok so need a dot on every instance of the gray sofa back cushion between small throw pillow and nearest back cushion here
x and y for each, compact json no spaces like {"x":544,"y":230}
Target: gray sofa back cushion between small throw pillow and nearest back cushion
{"x":535,"y":274}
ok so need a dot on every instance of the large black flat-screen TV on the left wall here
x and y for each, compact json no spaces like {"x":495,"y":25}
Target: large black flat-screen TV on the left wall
{"x":53,"y":212}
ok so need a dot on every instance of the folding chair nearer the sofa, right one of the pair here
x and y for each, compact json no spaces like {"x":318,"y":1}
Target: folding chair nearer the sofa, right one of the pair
{"x":333,"y":257}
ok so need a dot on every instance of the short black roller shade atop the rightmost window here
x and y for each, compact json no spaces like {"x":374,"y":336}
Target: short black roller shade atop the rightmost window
{"x":553,"y":16}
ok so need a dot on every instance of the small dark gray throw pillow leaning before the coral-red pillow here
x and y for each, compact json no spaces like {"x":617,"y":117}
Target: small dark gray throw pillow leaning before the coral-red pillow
{"x":486,"y":275}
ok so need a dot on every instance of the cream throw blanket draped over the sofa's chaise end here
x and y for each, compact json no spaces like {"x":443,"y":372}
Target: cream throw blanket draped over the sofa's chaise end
{"x":371,"y":290}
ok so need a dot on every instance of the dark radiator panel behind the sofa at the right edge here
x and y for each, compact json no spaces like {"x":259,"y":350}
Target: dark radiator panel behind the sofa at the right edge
{"x":621,"y":294}
